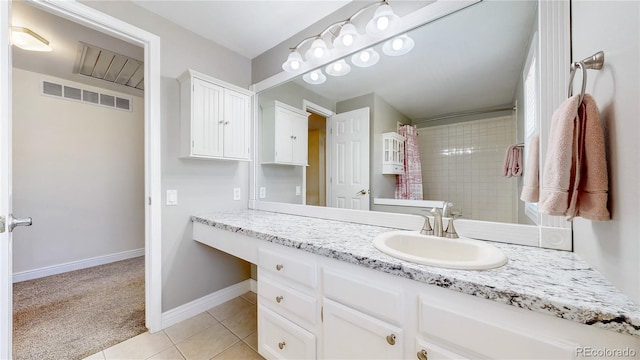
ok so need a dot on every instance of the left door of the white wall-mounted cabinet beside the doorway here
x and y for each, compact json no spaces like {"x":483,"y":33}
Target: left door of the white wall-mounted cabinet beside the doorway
{"x":206,"y":119}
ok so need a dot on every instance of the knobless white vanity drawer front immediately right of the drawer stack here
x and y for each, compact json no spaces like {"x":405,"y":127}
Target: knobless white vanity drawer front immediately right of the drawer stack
{"x":381,"y":302}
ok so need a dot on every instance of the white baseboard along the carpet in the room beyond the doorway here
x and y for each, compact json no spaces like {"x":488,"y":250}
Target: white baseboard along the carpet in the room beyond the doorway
{"x":76,"y":265}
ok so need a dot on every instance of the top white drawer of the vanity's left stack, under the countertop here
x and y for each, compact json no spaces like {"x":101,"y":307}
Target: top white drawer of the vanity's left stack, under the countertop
{"x":290,"y":266}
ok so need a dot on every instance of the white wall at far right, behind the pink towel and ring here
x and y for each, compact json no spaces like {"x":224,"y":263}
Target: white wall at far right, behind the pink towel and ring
{"x":613,"y":247}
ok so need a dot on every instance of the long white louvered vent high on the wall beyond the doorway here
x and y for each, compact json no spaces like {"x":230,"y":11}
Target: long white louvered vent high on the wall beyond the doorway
{"x":87,"y":96}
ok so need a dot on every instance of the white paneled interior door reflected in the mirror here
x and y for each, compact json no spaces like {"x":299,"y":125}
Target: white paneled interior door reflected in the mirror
{"x":349,"y":176}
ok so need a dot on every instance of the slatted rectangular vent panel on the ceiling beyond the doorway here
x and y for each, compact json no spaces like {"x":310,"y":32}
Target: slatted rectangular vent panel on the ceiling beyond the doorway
{"x":109,"y":66}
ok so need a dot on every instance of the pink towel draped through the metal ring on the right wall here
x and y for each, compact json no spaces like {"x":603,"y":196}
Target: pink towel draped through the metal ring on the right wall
{"x":575,"y":180}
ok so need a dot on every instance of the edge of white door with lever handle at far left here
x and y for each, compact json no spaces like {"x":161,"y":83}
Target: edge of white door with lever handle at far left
{"x":6,"y":291}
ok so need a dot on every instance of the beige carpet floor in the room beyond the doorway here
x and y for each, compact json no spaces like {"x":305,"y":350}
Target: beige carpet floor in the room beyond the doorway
{"x":76,"y":314}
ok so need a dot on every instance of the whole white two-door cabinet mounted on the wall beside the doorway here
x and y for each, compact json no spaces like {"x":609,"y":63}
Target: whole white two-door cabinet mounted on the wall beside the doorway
{"x":215,"y":118}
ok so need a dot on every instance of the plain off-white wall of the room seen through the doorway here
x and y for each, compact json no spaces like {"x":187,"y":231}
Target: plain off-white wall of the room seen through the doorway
{"x":78,"y":171}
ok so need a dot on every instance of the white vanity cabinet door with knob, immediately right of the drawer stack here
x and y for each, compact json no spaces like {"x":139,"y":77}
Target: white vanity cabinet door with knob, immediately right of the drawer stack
{"x":350,"y":334}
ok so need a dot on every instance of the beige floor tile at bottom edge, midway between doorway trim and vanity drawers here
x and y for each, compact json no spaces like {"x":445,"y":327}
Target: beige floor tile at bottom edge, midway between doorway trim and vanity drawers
{"x":207,"y":343}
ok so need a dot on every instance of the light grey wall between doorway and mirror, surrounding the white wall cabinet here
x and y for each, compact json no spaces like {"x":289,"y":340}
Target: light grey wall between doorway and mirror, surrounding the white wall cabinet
{"x":190,"y":270}
